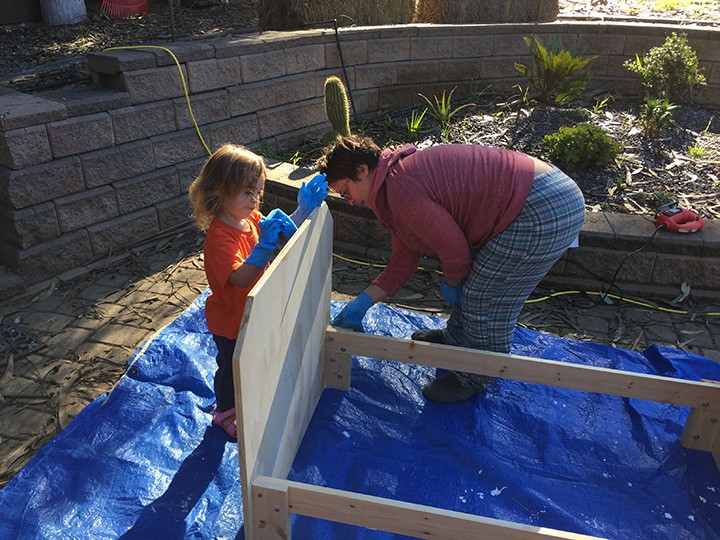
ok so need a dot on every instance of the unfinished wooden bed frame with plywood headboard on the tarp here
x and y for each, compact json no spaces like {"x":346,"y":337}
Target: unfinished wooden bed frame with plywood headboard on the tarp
{"x":286,"y":354}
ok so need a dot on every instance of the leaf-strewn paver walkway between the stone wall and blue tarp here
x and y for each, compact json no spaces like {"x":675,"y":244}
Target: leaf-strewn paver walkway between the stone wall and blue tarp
{"x":66,"y":344}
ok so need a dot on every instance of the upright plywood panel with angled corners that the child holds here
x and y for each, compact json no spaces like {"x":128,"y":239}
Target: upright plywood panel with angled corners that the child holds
{"x":277,"y":367}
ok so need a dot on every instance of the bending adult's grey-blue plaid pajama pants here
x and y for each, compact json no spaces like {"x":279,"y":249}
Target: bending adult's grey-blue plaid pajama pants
{"x":509,"y":266}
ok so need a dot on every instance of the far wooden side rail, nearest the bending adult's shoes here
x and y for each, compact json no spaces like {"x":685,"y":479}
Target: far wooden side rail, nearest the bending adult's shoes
{"x":522,"y":368}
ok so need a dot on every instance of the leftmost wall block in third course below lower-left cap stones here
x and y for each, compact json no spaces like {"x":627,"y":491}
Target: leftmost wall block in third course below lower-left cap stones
{"x":29,"y":226}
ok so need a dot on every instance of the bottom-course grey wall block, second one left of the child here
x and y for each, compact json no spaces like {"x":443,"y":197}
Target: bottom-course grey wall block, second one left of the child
{"x":123,"y":231}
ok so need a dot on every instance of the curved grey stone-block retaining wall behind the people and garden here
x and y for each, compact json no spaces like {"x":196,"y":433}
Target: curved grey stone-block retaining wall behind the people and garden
{"x":86,"y":172}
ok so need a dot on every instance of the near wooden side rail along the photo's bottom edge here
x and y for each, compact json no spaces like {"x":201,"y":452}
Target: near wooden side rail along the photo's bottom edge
{"x":410,"y":519}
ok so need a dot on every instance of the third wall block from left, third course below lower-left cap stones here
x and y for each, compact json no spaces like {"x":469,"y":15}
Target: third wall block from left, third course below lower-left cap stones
{"x":147,"y":189}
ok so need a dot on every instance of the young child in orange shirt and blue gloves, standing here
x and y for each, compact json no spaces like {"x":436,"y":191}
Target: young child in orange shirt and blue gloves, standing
{"x":239,"y":243}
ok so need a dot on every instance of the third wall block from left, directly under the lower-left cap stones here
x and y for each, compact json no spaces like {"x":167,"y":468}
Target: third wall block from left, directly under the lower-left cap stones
{"x":143,"y":121}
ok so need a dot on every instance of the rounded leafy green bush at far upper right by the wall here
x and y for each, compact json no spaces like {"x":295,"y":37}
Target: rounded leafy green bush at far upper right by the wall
{"x":669,"y":70}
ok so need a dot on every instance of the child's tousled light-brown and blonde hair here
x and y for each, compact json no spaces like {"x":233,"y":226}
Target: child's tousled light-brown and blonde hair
{"x":229,"y":170}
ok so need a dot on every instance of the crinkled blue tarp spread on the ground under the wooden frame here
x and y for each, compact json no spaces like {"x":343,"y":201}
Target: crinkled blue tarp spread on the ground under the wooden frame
{"x":143,"y":462}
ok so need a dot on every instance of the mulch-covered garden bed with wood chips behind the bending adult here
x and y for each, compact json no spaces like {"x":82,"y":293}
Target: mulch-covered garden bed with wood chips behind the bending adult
{"x":682,"y":165}
